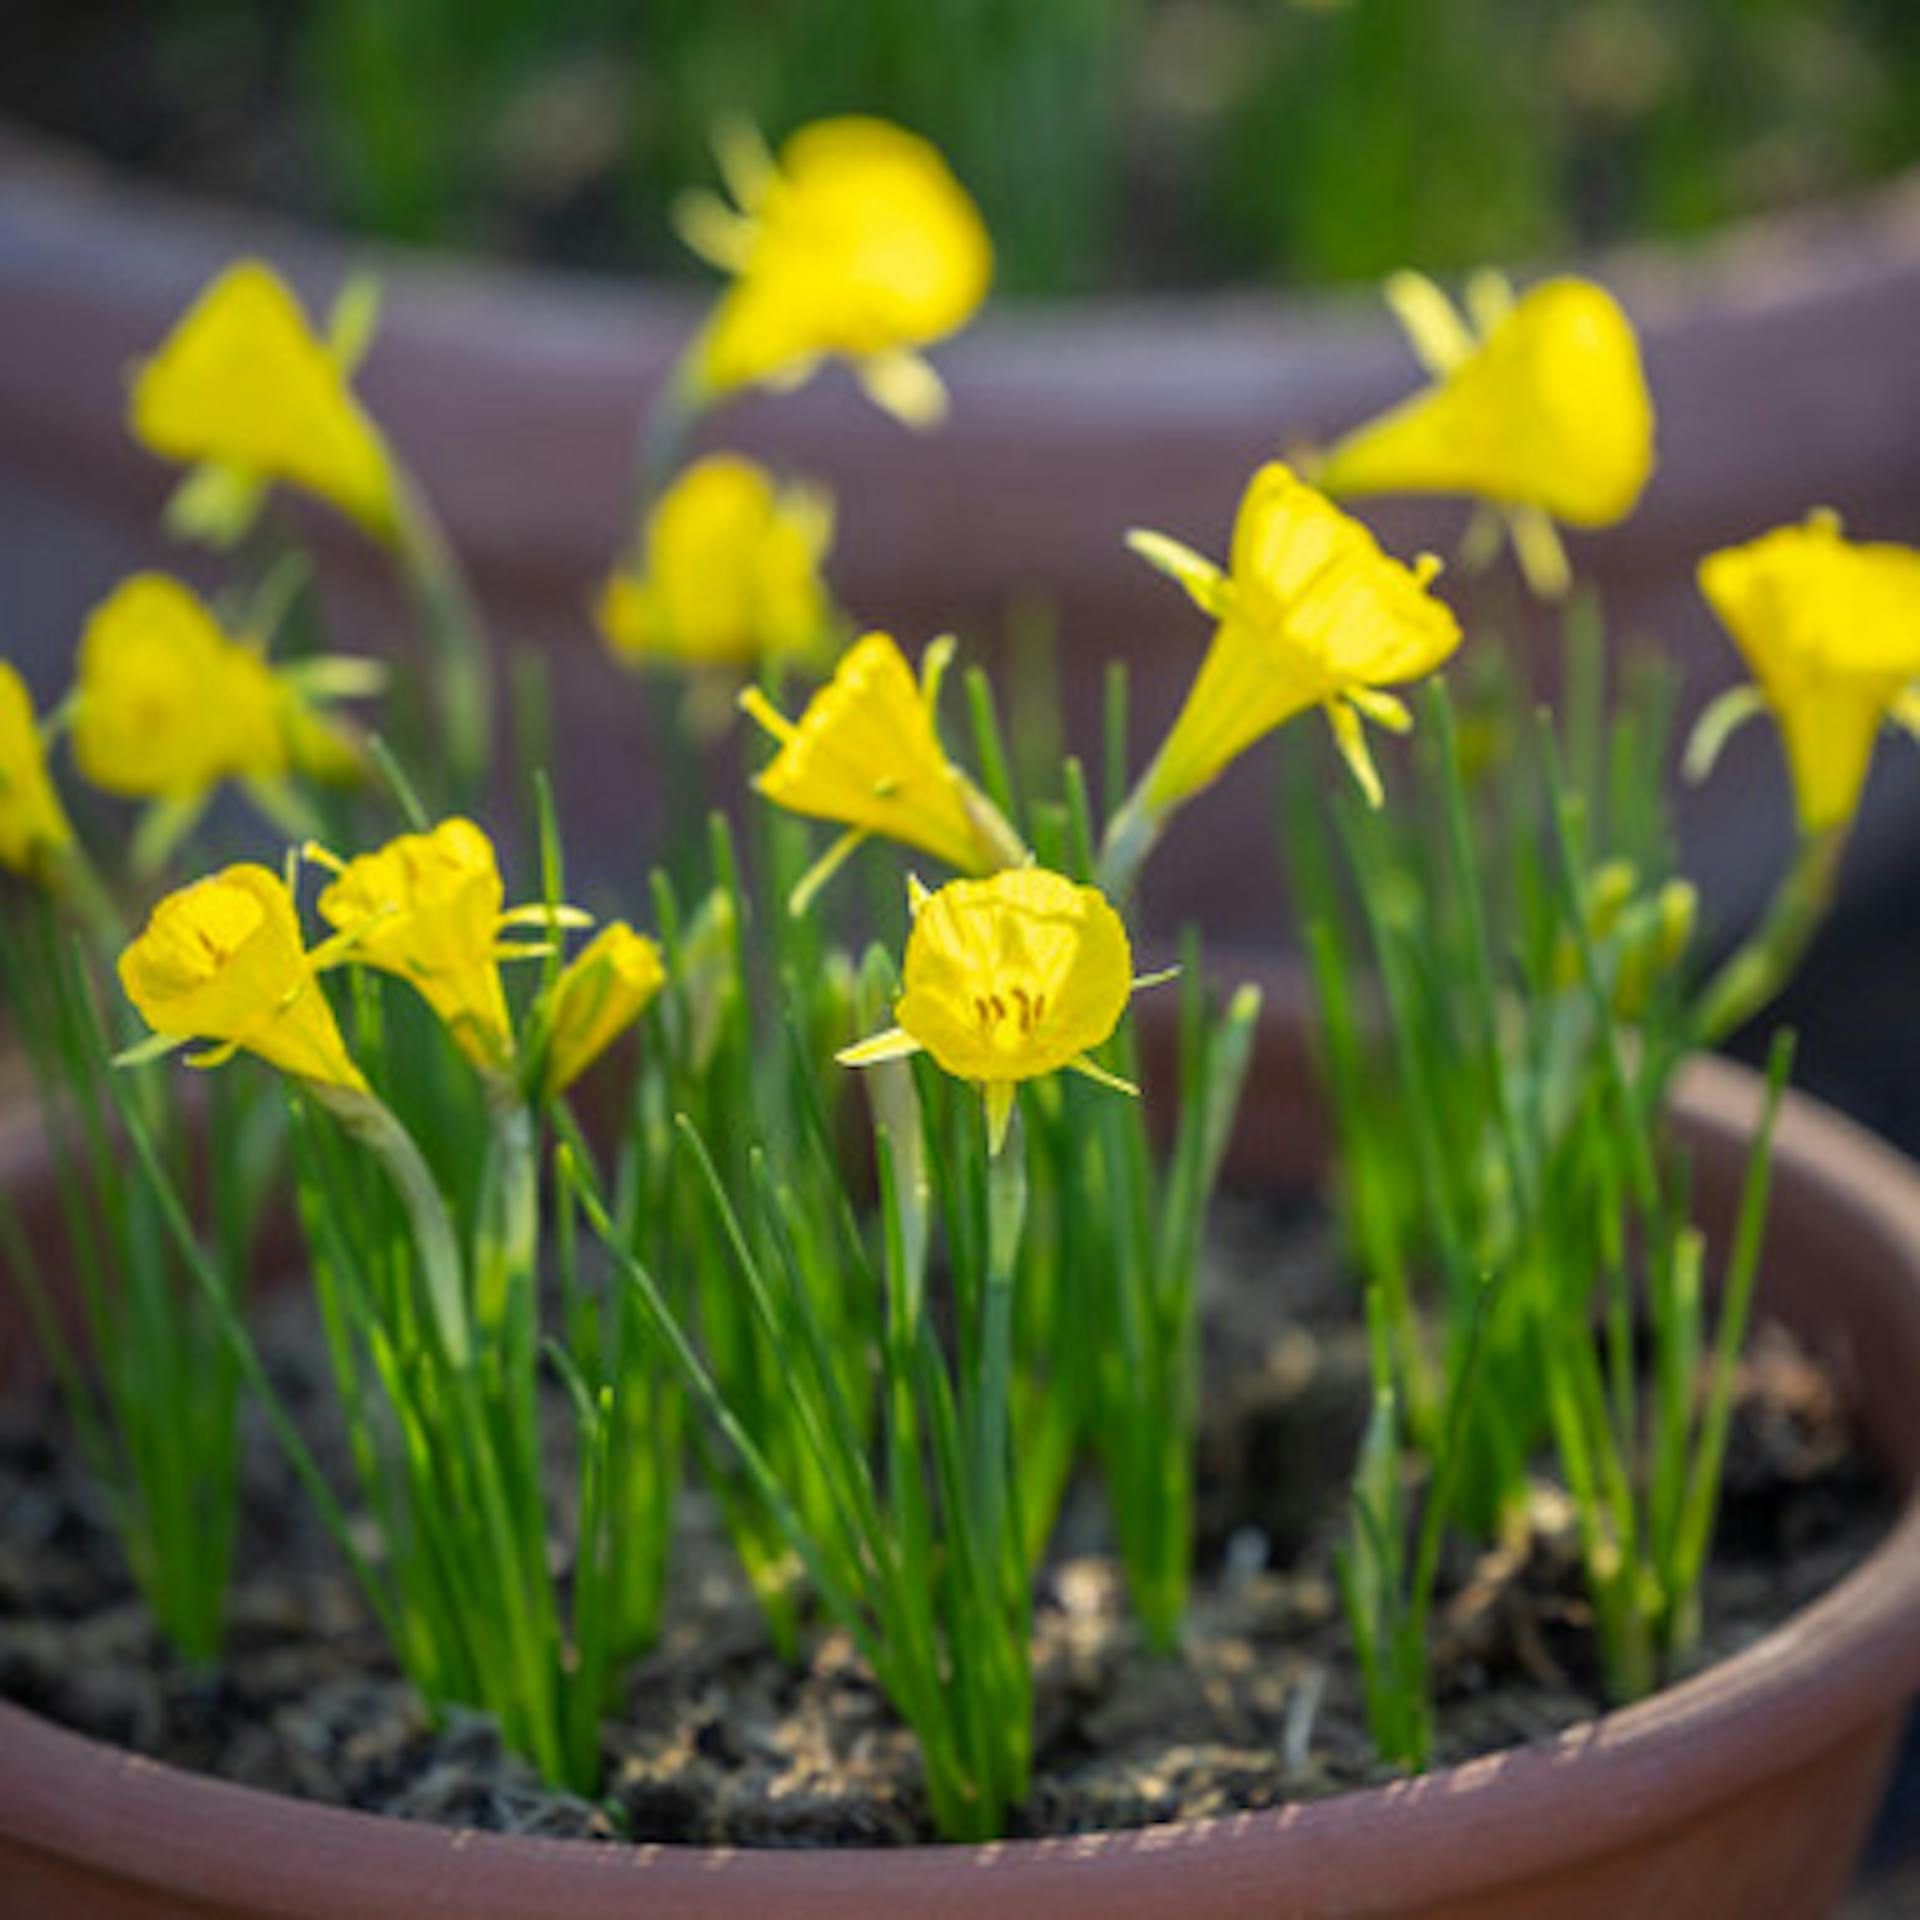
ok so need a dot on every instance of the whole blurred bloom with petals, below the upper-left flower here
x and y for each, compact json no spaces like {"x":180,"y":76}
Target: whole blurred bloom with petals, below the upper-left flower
{"x":170,"y":708}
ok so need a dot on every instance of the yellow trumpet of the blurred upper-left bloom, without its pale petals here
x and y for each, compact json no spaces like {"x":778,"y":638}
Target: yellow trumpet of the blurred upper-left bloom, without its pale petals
{"x":245,"y":383}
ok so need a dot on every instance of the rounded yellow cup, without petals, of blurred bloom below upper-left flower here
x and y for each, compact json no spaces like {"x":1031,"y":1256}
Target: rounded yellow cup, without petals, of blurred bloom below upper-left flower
{"x":168,"y":704}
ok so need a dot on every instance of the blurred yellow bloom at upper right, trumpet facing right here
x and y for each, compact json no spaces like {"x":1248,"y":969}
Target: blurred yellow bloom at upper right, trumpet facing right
{"x":1545,"y":416}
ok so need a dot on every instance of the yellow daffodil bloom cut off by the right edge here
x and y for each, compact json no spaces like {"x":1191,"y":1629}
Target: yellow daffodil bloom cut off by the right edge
{"x":1831,"y":631}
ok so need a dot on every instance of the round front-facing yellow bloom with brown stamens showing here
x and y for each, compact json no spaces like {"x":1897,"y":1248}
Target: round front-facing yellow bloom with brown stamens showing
{"x":1007,"y":980}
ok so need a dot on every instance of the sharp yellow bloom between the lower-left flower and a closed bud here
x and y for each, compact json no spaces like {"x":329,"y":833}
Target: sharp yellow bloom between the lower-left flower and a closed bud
{"x":427,"y":909}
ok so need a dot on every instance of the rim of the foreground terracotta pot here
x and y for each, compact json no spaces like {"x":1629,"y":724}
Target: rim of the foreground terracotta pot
{"x":1769,"y":1708}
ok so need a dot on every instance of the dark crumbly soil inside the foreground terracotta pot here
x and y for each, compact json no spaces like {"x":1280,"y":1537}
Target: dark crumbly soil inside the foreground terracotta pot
{"x":723,"y":1744}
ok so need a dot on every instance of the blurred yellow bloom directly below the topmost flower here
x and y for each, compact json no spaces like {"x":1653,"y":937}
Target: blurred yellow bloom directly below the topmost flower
{"x":732,"y":573}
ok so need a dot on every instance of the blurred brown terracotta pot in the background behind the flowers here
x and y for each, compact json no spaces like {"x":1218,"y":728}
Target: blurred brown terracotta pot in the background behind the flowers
{"x":1781,"y":358}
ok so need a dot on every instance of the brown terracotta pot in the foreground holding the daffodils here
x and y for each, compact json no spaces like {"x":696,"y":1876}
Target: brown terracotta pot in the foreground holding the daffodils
{"x":1739,"y":1794}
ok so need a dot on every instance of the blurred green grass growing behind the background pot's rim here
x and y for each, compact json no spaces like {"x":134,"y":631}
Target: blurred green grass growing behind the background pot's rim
{"x":1109,"y":141}
